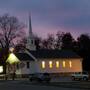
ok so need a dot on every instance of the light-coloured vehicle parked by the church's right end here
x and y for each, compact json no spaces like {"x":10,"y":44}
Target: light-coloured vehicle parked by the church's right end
{"x":80,"y":76}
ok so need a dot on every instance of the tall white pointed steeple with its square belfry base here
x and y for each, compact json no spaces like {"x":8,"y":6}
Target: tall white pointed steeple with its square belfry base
{"x":30,"y":40}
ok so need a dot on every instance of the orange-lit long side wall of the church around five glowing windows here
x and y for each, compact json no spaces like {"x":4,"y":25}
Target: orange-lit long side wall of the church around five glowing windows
{"x":76,"y":66}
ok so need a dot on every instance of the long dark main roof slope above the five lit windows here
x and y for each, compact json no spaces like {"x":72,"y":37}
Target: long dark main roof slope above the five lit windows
{"x":54,"y":54}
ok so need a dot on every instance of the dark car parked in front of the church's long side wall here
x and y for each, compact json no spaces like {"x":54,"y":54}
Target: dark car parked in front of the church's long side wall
{"x":40,"y":77}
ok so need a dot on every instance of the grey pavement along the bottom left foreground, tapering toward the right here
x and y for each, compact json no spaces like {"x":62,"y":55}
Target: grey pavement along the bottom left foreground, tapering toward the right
{"x":26,"y":85}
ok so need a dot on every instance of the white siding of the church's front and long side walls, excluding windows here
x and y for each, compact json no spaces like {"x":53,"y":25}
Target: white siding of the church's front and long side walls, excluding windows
{"x":36,"y":66}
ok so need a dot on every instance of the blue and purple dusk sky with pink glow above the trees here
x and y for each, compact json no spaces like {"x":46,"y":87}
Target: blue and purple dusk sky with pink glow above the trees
{"x":50,"y":16}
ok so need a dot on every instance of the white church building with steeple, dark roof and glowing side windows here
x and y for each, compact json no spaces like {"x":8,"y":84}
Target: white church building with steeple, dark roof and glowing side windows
{"x":50,"y":61}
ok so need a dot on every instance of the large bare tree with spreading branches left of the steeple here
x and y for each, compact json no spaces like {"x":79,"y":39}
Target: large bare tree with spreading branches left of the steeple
{"x":10,"y":30}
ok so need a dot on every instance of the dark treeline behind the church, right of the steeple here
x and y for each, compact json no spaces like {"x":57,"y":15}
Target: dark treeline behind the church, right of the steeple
{"x":65,"y":41}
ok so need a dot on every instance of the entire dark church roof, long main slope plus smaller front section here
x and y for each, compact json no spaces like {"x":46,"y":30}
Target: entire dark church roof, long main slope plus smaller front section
{"x":47,"y":54}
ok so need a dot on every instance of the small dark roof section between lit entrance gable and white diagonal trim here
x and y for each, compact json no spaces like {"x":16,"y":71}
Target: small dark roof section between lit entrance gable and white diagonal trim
{"x":23,"y":57}
